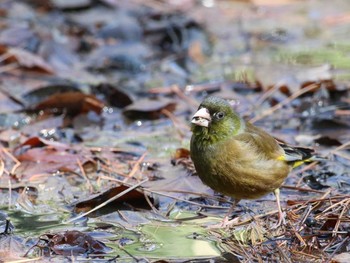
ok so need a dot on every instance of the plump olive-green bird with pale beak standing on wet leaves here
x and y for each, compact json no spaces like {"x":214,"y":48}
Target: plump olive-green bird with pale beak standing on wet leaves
{"x":238,"y":159}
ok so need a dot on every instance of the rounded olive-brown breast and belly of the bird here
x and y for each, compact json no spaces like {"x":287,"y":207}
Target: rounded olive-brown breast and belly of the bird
{"x":230,"y":169}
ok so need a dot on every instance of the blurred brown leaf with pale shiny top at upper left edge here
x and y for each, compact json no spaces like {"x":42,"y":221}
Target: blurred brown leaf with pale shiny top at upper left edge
{"x":27,"y":60}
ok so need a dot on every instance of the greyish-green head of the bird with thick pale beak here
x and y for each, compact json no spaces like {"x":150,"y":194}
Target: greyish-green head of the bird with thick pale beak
{"x":216,"y":118}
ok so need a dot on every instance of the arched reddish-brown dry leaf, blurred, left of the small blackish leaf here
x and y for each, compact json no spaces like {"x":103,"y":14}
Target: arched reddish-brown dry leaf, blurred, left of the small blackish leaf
{"x":73,"y":103}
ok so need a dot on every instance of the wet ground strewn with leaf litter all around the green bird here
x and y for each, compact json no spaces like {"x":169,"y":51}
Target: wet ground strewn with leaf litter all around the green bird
{"x":96,"y":100}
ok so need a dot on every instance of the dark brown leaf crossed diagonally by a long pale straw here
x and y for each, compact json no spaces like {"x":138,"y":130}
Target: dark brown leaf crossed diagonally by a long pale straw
{"x":134,"y":198}
